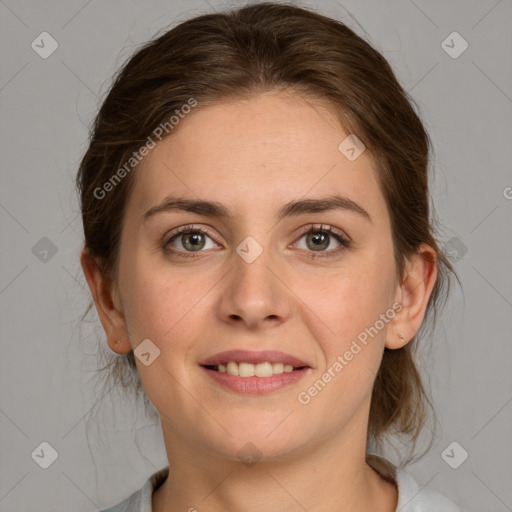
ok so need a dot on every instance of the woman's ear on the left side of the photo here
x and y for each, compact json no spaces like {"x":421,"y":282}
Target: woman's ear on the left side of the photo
{"x":107,"y":302}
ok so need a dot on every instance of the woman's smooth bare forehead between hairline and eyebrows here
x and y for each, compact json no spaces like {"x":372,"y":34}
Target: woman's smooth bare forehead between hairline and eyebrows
{"x":272,"y":147}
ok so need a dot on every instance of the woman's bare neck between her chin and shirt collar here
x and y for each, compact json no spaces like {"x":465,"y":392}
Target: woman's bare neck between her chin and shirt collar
{"x":332,"y":476}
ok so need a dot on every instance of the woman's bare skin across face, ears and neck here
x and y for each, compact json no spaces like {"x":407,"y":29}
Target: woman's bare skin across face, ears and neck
{"x":235,"y":152}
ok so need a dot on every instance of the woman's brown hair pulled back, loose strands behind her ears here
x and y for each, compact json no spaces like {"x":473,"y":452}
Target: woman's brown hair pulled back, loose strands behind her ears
{"x":258,"y":48}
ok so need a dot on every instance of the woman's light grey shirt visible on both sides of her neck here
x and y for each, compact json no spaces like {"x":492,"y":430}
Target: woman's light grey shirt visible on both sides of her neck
{"x":411,"y":496}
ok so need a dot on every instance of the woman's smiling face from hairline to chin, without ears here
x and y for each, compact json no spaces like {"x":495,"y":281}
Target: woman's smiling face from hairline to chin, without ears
{"x":252,"y":280}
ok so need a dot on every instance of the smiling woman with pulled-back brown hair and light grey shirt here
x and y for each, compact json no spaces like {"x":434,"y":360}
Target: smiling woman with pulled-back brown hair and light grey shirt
{"x":259,"y":248}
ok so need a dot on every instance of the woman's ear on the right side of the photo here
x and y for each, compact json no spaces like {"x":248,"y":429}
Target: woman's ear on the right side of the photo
{"x":420,"y":275}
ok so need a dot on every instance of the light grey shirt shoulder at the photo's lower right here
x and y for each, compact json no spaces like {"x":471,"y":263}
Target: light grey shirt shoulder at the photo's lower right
{"x":414,"y":498}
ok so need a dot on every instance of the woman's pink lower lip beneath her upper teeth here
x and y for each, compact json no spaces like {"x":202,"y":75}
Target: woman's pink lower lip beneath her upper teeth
{"x":256,"y":385}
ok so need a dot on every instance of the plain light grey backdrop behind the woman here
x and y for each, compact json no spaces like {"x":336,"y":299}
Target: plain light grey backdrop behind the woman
{"x":47,"y":361}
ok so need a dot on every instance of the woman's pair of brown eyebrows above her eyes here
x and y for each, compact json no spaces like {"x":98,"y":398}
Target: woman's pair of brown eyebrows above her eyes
{"x":291,"y":209}
